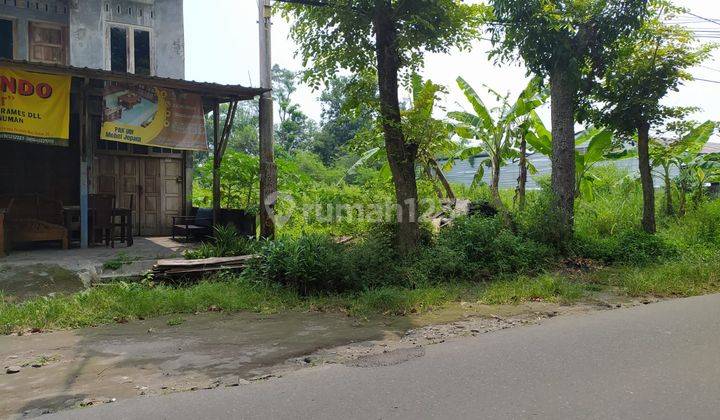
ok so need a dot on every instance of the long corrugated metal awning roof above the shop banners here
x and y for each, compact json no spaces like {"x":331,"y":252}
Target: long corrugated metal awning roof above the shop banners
{"x":214,"y":90}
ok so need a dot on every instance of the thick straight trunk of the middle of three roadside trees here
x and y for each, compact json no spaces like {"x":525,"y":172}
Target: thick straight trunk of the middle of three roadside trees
{"x":563,"y":102}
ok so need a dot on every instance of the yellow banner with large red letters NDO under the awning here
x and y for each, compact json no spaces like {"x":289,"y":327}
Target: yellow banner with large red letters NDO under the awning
{"x":34,"y":107}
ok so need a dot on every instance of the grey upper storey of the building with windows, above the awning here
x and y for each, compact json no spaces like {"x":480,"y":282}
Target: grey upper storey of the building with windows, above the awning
{"x":143,"y":37}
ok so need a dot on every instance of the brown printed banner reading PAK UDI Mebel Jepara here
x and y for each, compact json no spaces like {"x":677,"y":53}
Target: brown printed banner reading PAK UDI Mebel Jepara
{"x":153,"y":117}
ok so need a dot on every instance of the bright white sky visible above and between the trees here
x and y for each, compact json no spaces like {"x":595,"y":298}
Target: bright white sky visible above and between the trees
{"x":221,"y":41}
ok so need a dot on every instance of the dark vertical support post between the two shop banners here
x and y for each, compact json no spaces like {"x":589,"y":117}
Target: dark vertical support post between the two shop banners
{"x":85,"y":154}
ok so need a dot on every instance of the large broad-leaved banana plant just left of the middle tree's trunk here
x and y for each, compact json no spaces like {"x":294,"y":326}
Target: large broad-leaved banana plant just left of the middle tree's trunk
{"x":496,"y":134}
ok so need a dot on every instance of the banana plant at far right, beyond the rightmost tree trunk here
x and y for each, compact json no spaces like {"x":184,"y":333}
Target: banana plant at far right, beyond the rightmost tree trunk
{"x":664,"y":156}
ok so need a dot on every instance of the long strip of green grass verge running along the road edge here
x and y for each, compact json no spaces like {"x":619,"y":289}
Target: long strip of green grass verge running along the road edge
{"x":123,"y":302}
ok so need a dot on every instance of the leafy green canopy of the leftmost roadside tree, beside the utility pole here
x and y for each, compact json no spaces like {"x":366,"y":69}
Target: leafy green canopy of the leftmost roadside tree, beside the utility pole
{"x":339,"y":34}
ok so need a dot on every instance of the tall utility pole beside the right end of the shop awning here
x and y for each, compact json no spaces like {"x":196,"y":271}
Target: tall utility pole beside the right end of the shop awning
{"x":268,"y":170}
